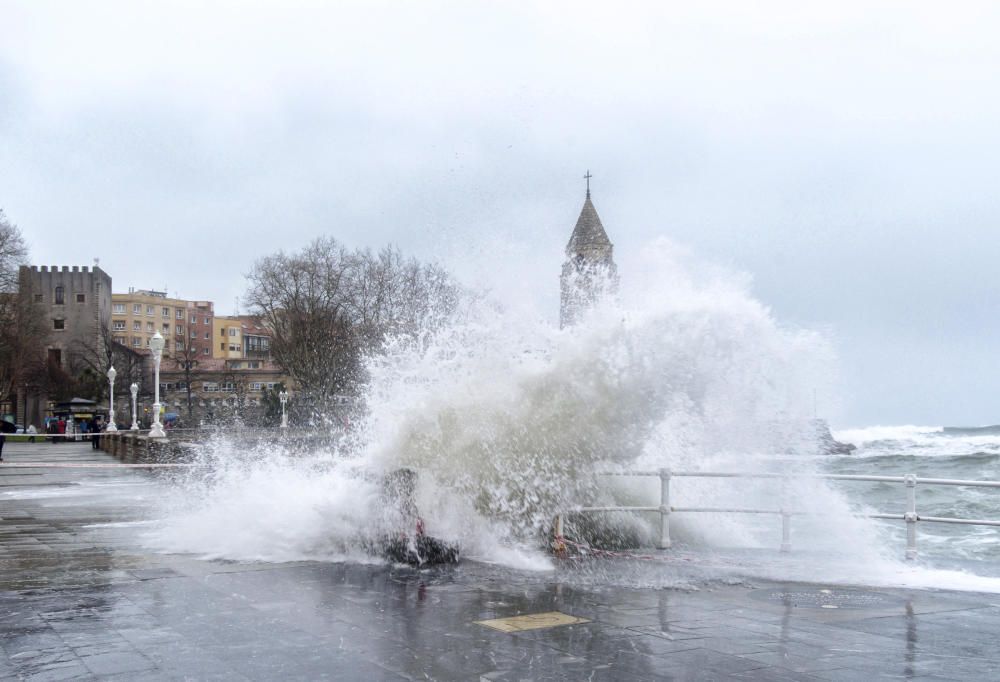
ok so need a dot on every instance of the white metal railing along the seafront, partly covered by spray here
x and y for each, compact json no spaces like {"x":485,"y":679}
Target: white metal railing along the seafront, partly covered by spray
{"x":910,"y":516}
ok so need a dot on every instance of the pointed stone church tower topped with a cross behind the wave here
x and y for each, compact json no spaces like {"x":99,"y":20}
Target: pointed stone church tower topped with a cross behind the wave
{"x":589,"y":272}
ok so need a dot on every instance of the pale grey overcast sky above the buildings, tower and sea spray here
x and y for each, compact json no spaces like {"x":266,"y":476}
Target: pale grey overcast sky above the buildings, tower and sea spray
{"x":845,"y":155}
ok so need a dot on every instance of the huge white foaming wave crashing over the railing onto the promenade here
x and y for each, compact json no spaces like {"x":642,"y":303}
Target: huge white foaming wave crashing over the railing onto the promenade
{"x":511,"y":421}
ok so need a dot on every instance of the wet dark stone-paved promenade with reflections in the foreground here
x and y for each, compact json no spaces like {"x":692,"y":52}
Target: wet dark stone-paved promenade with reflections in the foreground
{"x":81,"y":599}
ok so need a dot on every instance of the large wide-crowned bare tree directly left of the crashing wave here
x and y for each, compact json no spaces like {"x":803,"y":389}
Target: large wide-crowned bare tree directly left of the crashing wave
{"x":328,"y":307}
